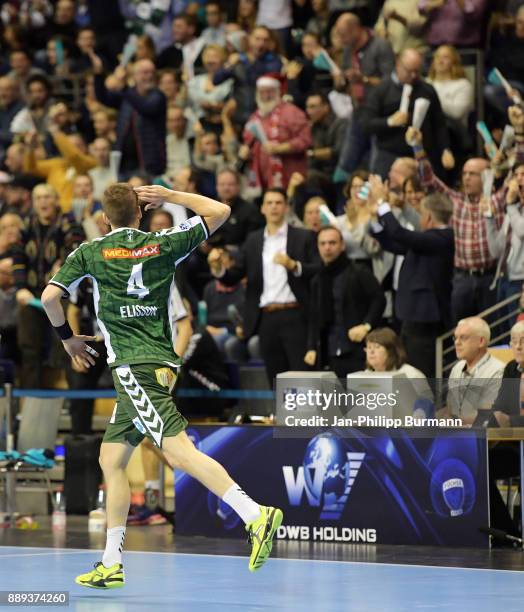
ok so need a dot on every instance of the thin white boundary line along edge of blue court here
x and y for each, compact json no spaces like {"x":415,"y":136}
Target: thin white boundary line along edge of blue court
{"x":179,"y":554}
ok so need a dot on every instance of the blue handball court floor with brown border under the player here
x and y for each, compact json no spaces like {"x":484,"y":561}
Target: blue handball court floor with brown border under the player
{"x":169,"y":572}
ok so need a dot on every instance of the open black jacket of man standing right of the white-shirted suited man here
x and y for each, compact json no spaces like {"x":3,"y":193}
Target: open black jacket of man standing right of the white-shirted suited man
{"x":364,"y":302}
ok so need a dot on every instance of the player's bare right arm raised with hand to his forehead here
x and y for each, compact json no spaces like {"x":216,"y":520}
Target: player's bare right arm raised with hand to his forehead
{"x":214,"y":213}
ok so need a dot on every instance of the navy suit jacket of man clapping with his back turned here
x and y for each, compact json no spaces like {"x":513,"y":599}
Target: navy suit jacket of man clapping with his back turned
{"x":424,"y":288}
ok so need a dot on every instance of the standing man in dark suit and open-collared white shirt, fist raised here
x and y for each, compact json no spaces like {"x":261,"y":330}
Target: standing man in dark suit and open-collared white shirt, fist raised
{"x":278,"y":261}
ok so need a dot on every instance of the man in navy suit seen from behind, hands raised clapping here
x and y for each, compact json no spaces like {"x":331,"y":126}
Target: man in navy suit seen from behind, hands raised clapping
{"x":422,"y":302}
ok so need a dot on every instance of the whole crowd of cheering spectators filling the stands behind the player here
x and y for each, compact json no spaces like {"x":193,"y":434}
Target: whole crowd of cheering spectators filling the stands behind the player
{"x":352,"y":209}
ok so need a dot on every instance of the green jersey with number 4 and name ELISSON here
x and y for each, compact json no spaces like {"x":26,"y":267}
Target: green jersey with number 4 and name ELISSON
{"x":133,"y":279}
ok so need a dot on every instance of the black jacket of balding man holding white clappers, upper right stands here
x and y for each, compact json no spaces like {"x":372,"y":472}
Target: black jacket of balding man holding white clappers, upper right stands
{"x":384,"y":100}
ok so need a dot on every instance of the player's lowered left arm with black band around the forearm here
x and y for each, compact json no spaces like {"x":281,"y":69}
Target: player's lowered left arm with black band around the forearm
{"x":75,"y":346}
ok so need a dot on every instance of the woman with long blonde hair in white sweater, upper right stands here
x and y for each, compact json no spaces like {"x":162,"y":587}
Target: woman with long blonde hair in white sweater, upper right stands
{"x":455,"y":93}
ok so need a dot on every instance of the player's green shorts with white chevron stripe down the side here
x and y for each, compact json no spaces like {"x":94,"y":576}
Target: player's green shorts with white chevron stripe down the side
{"x":144,"y":405}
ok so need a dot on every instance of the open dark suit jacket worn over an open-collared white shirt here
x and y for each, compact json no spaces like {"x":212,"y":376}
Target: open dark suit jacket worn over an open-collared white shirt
{"x":301,"y":246}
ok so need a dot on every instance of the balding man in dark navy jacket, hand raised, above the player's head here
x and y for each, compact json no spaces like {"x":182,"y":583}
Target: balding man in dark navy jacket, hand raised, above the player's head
{"x":141,"y":128}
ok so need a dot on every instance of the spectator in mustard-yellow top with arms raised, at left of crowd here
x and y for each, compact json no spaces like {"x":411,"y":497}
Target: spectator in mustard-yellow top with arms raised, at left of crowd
{"x":59,"y":171}
